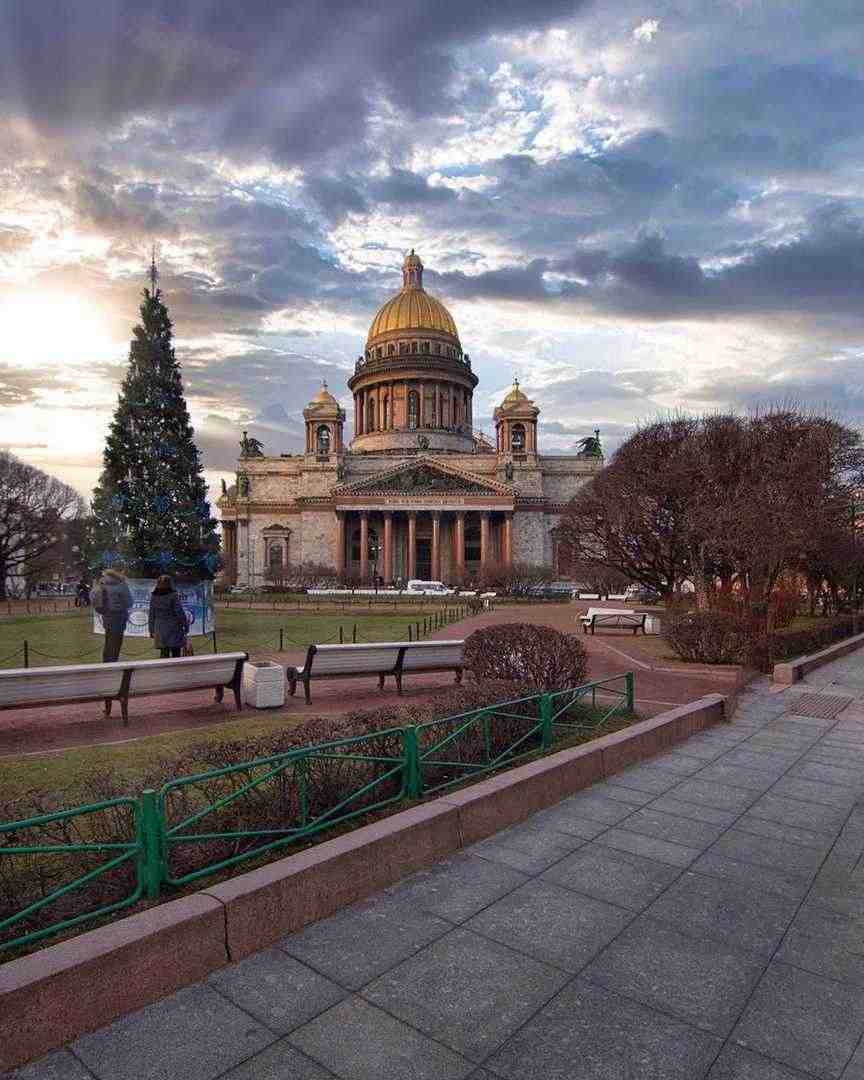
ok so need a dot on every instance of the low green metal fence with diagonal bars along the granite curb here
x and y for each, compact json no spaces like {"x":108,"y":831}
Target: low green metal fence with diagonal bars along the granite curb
{"x":91,"y":861}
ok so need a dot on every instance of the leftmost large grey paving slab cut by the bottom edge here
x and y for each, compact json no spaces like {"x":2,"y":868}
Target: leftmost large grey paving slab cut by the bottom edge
{"x":196,"y":1035}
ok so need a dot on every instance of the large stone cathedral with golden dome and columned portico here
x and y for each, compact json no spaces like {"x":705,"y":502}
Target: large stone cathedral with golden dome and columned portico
{"x":418,"y":493}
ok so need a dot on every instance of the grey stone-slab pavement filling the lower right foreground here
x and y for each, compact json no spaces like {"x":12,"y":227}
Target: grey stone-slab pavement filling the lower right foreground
{"x":698,"y":916}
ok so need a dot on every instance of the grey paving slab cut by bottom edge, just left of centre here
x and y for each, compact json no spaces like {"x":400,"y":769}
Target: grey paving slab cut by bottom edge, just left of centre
{"x":358,"y":1042}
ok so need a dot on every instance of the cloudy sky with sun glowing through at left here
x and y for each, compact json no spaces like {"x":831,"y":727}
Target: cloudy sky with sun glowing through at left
{"x":633,"y":207}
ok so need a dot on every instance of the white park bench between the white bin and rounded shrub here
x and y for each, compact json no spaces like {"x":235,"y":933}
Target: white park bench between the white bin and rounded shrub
{"x":381,"y":659}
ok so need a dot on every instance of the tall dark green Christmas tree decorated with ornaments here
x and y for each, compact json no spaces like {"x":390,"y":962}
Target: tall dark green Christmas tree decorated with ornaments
{"x":151,"y":510}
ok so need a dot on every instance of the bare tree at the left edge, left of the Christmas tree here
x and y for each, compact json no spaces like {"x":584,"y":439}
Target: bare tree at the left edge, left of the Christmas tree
{"x":34,"y":509}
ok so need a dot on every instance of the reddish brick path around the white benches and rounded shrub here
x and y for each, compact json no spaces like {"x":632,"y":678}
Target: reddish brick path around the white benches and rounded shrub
{"x":31,"y":731}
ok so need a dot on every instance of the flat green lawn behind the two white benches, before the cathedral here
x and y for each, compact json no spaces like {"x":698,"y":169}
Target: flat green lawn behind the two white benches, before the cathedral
{"x":69,"y":638}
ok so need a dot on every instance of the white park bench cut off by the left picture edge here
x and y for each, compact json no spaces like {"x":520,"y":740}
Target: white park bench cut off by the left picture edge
{"x":30,"y":687}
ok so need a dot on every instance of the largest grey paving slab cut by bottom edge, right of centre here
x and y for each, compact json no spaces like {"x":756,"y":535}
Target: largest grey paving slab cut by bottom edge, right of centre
{"x":593,"y":1034}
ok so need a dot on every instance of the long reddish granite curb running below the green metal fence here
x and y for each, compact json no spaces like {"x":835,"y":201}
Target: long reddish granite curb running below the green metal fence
{"x":77,"y":987}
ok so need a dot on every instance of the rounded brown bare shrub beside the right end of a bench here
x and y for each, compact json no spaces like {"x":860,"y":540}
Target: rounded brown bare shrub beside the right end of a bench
{"x":538,"y":658}
